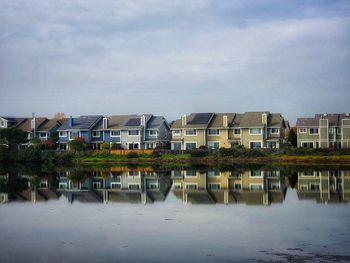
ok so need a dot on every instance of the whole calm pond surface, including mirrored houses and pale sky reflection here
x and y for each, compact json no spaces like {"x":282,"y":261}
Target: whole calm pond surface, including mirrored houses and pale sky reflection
{"x":128,"y":214}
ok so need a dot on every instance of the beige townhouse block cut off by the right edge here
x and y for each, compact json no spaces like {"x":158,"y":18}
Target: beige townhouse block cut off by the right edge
{"x":324,"y":131}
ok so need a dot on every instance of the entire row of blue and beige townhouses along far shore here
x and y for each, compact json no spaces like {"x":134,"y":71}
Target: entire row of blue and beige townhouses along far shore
{"x":212,"y":130}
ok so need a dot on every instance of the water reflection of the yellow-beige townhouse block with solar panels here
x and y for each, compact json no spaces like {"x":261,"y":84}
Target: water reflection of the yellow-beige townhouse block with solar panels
{"x":255,"y":187}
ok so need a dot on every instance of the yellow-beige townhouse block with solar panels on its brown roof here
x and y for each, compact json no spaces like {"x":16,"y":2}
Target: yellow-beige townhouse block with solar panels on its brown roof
{"x":224,"y":130}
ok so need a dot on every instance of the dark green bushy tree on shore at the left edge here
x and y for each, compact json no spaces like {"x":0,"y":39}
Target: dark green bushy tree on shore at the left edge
{"x":13,"y":138}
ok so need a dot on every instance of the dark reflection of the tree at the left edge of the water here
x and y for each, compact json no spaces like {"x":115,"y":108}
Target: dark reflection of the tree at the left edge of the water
{"x":13,"y":185}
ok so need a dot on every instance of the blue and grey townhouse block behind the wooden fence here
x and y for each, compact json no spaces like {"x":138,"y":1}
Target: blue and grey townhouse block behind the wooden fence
{"x":120,"y":131}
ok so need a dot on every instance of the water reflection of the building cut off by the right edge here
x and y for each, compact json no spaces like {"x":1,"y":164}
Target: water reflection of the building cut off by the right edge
{"x":324,"y":186}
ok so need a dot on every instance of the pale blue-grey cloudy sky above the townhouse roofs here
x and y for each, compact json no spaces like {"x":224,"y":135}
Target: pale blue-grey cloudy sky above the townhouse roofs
{"x":171,"y":58}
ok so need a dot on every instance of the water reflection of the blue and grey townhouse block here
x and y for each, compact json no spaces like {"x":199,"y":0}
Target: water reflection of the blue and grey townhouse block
{"x":115,"y":186}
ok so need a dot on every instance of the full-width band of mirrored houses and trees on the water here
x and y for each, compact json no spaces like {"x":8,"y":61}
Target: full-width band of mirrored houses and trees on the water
{"x":195,"y":186}
